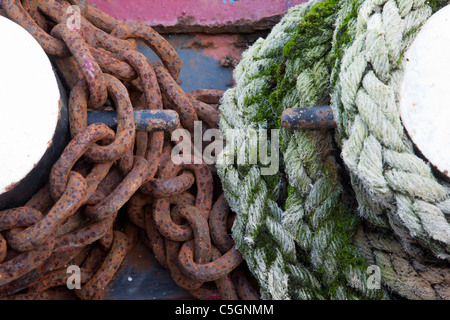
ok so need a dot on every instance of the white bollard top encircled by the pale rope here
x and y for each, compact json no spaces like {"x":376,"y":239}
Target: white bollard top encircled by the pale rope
{"x":425,"y":91}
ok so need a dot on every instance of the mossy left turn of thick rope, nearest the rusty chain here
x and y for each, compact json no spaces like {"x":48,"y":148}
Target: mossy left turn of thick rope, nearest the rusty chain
{"x":312,"y":227}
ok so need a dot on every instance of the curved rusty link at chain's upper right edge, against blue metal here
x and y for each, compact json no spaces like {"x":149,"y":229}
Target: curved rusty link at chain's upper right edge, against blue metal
{"x":167,"y":54}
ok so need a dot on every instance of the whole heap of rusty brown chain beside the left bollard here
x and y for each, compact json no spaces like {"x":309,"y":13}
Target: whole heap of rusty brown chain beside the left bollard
{"x":178,"y":211}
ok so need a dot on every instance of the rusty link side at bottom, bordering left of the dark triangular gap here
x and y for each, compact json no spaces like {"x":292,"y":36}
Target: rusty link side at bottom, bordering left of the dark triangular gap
{"x":94,"y":289}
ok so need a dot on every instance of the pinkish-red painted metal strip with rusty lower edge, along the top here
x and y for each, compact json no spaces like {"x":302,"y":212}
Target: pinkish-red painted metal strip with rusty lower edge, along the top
{"x":214,"y":16}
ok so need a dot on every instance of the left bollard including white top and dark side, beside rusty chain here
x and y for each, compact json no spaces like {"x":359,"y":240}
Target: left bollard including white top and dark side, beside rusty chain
{"x":33,"y":115}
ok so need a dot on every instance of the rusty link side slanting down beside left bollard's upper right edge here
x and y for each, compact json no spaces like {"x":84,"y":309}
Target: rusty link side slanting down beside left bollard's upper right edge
{"x":87,"y":64}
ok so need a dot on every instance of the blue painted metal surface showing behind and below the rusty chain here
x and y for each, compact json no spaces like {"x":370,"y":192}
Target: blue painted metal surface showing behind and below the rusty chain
{"x":141,"y":277}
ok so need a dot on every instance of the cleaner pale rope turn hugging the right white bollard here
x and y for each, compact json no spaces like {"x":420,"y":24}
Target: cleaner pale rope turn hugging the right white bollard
{"x":375,"y":148}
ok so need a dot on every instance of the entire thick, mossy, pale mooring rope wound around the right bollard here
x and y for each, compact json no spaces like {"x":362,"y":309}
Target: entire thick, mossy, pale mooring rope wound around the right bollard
{"x":295,"y":228}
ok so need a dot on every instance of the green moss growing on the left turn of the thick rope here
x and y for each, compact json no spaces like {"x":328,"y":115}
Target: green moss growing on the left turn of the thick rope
{"x":314,"y":30}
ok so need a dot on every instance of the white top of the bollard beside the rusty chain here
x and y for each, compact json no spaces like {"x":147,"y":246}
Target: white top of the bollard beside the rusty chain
{"x":29,"y":103}
